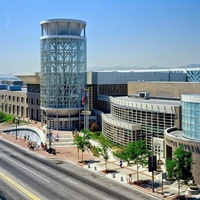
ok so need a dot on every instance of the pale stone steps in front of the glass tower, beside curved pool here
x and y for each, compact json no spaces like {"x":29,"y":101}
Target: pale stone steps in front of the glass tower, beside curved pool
{"x":64,"y":140}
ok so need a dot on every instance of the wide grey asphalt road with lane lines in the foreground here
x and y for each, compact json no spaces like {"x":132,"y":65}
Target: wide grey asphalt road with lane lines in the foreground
{"x":29,"y":176}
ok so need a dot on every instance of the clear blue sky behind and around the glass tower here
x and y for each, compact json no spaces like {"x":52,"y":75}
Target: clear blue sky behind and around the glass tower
{"x":130,"y":33}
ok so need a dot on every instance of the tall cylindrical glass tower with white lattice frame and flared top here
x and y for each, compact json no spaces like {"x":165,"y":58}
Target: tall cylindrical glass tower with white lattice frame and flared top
{"x":63,"y":71}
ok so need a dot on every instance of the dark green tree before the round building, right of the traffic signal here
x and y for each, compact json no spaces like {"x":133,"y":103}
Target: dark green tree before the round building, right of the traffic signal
{"x":180,"y":166}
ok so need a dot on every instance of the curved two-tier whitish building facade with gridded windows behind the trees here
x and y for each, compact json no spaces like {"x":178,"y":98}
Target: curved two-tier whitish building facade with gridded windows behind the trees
{"x":132,"y":119}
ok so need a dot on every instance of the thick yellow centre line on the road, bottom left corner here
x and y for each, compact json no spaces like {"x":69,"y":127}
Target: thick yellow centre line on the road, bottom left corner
{"x":19,"y":187}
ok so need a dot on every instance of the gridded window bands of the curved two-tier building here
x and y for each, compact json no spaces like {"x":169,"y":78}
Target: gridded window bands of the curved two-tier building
{"x":152,"y":123}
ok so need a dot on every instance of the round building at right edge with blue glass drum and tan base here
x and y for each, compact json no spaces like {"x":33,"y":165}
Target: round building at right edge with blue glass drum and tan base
{"x":189,"y":134}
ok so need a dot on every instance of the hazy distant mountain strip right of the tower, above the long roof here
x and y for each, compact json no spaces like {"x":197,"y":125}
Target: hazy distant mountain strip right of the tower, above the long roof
{"x":138,"y":68}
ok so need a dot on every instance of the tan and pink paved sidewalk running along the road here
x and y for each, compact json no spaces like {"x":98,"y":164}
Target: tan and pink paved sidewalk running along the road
{"x":126,"y":175}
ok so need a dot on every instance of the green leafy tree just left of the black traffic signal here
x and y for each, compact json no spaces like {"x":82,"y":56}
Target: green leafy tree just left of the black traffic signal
{"x":138,"y":152}
